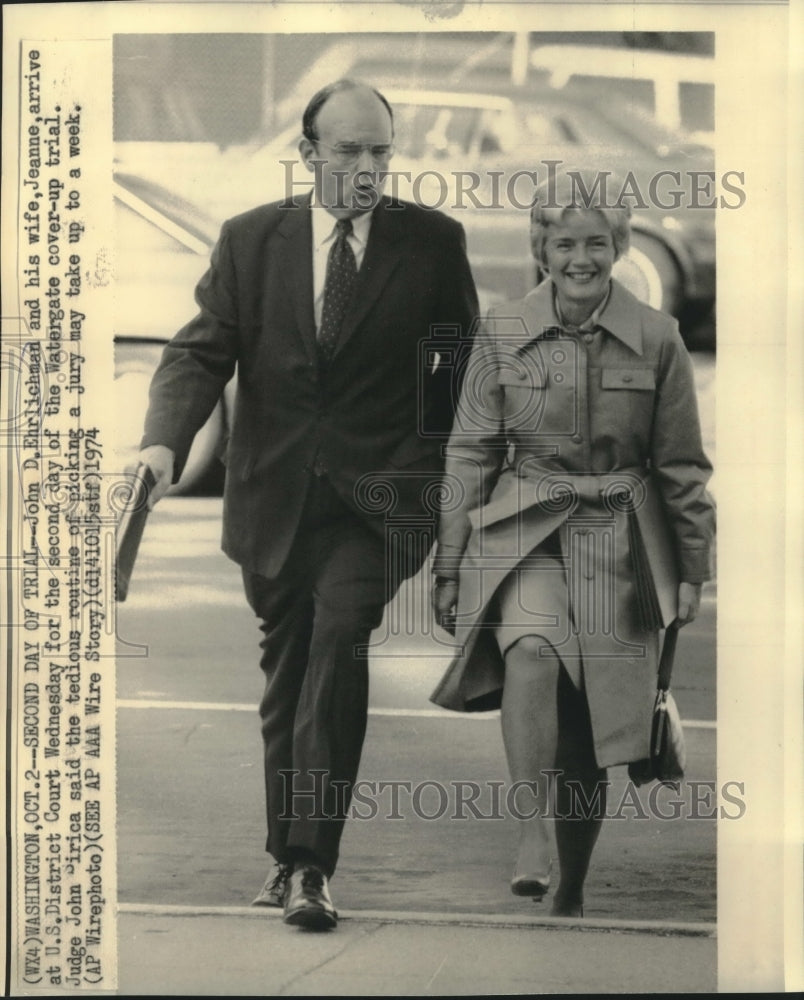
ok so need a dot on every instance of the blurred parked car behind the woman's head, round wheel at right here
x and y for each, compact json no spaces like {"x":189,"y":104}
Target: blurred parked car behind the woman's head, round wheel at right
{"x":672,"y":260}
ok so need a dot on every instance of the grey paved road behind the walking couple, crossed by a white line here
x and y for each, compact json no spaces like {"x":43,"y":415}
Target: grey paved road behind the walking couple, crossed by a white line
{"x":190,"y":786}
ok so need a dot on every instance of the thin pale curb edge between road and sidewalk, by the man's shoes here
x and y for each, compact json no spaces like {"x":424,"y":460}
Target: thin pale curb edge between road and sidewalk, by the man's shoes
{"x":681,"y":928}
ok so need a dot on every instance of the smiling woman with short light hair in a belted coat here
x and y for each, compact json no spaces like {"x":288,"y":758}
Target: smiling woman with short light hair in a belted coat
{"x":577,"y":437}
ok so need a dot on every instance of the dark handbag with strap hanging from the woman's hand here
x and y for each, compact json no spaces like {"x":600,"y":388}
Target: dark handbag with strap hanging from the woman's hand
{"x":668,"y":755}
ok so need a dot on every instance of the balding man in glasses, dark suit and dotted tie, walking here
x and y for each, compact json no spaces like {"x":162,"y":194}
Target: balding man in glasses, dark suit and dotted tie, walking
{"x":331,"y":310}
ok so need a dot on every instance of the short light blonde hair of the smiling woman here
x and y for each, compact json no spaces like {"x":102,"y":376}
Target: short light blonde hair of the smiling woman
{"x":577,"y":190}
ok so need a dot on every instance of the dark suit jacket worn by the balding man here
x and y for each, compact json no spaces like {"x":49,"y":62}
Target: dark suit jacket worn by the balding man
{"x":378,"y":410}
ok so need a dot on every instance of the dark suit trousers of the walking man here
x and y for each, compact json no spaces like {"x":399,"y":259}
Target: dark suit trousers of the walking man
{"x":316,"y":614}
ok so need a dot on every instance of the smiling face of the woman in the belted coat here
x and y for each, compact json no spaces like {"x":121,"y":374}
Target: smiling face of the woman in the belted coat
{"x":579,"y":255}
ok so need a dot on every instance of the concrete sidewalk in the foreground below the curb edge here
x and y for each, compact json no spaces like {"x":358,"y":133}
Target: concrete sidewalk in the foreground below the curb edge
{"x":250,"y":952}
